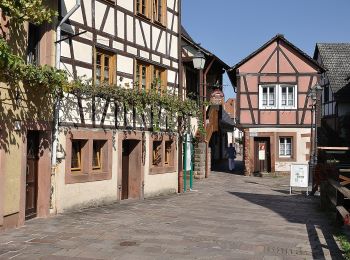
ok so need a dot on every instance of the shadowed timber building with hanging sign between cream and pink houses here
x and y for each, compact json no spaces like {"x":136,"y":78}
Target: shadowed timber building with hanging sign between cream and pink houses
{"x":204,"y":85}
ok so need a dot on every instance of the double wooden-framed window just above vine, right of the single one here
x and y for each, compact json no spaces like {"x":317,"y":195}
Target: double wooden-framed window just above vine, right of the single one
{"x":149,"y":76}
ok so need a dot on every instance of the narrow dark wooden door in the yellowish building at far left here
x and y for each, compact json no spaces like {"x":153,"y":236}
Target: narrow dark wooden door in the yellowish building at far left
{"x":32,"y":174}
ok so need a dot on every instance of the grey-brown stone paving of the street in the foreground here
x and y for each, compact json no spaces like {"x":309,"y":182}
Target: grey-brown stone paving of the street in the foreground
{"x":228,"y":217}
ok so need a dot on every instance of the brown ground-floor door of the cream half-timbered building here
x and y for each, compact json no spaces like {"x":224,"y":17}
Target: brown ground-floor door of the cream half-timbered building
{"x":131,"y":170}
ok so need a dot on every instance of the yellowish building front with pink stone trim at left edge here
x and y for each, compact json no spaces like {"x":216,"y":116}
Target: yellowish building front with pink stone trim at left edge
{"x":25,"y":129}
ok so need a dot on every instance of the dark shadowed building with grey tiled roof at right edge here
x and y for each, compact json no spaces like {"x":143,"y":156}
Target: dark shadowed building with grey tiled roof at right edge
{"x":335,"y":82}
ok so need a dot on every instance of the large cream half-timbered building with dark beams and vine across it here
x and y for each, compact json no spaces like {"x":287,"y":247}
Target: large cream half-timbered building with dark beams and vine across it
{"x":106,"y":151}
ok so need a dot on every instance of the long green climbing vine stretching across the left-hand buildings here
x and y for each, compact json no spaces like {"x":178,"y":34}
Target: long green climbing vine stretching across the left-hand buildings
{"x":13,"y":70}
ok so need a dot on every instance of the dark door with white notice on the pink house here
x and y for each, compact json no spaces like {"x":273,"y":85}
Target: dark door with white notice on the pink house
{"x":262,"y":158}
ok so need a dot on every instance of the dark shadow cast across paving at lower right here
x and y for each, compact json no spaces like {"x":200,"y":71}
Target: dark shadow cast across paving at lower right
{"x":297,"y":210}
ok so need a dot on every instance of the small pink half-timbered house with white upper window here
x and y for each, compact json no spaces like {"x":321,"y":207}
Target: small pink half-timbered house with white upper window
{"x":273,"y":107}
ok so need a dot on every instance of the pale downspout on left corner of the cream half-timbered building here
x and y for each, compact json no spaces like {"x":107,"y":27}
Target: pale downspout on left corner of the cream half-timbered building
{"x":57,"y":105}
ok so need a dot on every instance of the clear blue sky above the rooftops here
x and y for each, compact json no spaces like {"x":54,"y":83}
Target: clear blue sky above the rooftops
{"x":233,"y":29}
